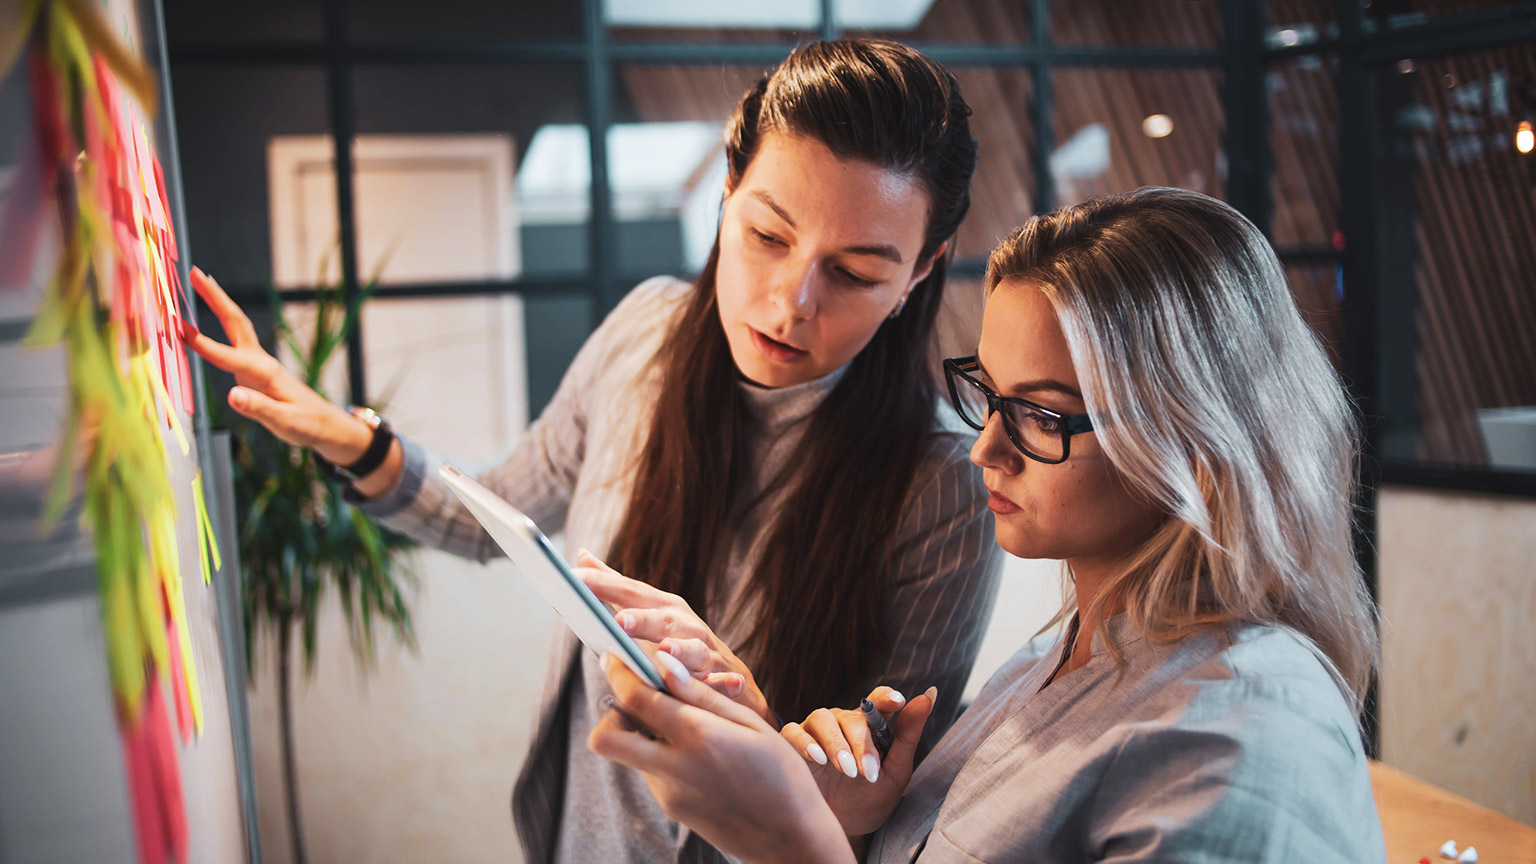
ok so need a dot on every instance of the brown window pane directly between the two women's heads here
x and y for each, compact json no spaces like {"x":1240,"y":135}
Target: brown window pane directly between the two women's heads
{"x":1004,"y":188}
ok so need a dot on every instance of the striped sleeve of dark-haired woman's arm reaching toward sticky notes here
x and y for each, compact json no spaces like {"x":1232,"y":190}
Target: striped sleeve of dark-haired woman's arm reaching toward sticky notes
{"x":541,"y":471}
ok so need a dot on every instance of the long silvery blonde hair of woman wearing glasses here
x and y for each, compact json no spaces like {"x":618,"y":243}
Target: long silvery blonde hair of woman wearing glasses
{"x":1214,"y":399}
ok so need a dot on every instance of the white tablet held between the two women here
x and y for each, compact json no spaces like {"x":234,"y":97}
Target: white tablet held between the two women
{"x":535,"y":556}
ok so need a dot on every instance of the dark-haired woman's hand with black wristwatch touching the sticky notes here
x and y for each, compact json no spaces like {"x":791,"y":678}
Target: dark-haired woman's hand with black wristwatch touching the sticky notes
{"x":268,"y":393}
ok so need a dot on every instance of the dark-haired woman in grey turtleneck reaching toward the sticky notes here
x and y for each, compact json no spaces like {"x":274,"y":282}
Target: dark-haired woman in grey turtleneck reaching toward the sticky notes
{"x":763,"y":447}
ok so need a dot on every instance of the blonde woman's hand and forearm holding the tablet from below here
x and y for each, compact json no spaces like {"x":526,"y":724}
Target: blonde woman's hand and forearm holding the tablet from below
{"x":718,"y":768}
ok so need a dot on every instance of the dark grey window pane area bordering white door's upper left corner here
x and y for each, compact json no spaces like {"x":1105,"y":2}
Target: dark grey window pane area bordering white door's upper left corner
{"x":227,"y":116}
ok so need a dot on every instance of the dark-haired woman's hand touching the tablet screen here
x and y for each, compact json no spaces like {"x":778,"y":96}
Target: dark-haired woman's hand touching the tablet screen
{"x":667,"y":620}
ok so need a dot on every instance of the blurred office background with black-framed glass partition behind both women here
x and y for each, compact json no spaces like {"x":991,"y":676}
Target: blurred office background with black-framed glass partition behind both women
{"x":509,"y":170}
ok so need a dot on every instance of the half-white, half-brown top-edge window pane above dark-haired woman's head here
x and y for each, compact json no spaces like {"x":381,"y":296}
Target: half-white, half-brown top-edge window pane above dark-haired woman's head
{"x":975,"y":22}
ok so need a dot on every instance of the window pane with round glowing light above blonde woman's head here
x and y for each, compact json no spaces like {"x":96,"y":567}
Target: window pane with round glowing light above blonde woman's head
{"x":1119,"y":130}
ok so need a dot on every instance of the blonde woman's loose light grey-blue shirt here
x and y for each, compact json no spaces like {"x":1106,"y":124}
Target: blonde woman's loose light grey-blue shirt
{"x":1231,"y":746}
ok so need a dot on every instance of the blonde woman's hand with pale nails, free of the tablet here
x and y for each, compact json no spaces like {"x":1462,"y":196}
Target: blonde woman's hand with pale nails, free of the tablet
{"x":859,"y":785}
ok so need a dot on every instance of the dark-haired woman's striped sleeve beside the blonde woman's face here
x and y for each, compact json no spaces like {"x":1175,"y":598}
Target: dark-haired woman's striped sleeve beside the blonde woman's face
{"x":947,"y":574}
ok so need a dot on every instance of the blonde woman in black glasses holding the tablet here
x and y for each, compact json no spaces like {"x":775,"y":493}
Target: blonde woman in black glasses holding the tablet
{"x":1153,"y":411}
